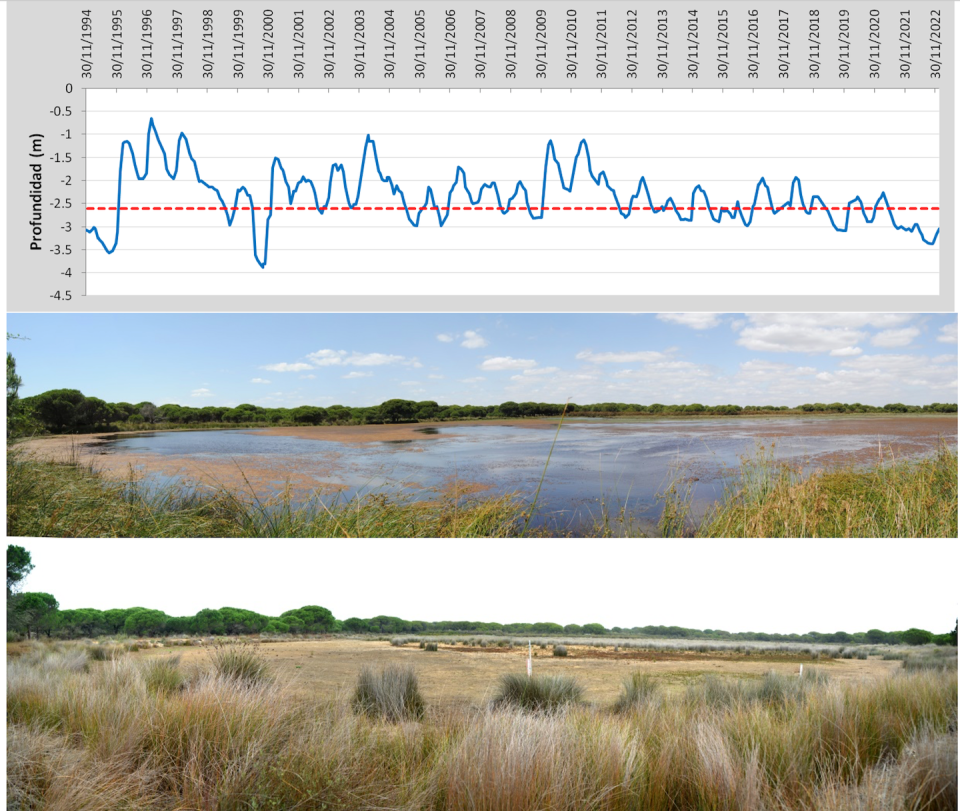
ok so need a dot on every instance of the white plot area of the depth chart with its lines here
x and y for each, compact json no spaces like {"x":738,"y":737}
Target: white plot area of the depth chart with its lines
{"x":831,"y":172}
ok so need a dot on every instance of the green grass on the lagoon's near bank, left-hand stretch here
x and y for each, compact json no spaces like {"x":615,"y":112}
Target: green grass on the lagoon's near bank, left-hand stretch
{"x":72,"y":500}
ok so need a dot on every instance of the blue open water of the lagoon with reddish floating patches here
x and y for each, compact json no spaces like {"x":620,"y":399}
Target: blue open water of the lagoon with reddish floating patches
{"x":620,"y":462}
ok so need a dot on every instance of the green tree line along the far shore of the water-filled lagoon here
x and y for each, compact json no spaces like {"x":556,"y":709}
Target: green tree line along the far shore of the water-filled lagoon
{"x":70,"y":411}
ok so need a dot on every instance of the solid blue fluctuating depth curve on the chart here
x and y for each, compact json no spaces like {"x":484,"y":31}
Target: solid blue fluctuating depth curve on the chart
{"x":370,"y":145}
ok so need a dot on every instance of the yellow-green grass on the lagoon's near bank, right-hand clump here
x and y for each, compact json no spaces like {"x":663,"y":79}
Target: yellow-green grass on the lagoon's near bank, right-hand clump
{"x":769,"y":499}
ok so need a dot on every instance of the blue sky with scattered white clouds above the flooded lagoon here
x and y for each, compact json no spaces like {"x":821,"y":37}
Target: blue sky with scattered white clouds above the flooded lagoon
{"x":480,"y":359}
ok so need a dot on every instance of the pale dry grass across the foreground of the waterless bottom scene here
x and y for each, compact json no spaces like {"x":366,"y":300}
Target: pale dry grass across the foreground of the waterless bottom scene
{"x":115,"y":735}
